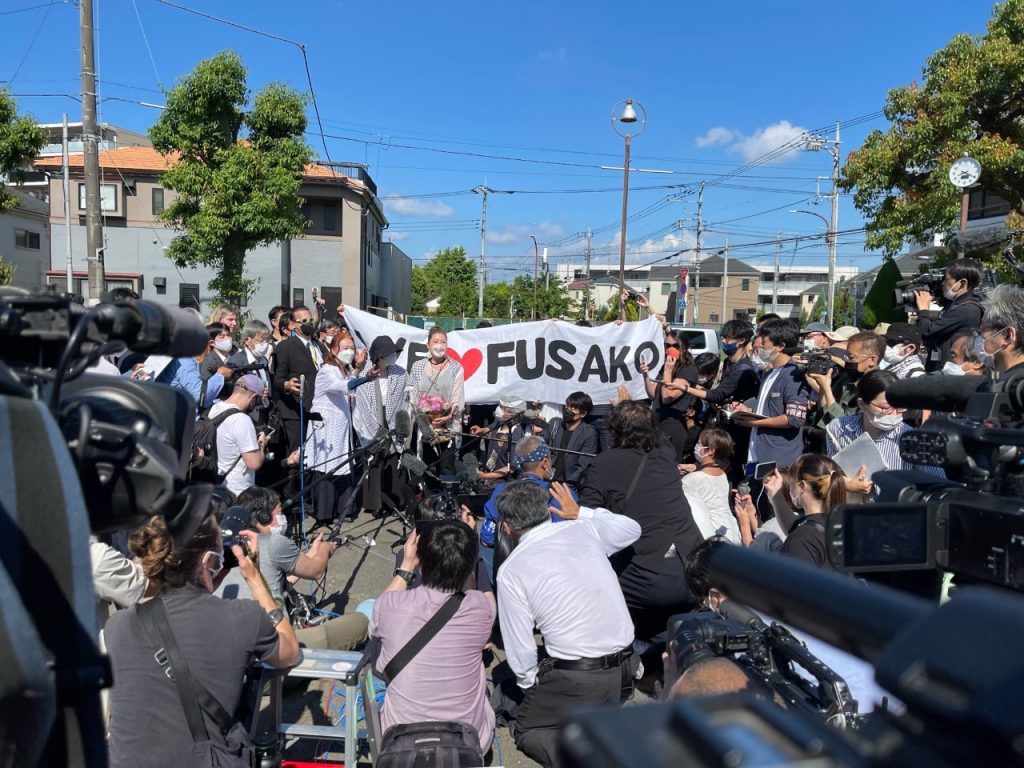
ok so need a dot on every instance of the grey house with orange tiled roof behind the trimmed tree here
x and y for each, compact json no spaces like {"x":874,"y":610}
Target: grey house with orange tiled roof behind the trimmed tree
{"x":340,"y":255}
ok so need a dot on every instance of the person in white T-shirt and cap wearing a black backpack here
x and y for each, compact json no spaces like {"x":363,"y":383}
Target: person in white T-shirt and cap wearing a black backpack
{"x":240,"y":449}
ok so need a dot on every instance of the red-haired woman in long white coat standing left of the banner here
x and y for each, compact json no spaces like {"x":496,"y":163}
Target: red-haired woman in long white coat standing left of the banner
{"x":330,"y":439}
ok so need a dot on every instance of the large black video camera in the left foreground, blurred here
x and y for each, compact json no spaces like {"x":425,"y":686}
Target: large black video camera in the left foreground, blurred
{"x":84,"y":452}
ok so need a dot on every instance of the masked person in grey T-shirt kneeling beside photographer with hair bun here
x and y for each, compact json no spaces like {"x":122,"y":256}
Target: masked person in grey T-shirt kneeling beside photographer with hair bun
{"x":281,"y":562}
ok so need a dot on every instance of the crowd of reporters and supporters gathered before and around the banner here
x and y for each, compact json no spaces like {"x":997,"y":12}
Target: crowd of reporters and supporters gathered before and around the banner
{"x":594,"y":518}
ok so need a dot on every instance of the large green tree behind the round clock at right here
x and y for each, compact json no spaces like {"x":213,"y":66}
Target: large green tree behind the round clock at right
{"x":971,"y":102}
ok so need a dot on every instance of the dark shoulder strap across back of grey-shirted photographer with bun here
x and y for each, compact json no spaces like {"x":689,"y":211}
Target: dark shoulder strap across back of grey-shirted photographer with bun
{"x":195,"y":698}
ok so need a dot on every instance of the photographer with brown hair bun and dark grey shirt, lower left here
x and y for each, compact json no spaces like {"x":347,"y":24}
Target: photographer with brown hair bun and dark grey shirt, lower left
{"x":219,"y":639}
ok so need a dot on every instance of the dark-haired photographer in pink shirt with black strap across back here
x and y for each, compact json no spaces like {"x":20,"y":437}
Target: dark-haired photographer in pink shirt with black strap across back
{"x":446,"y":679}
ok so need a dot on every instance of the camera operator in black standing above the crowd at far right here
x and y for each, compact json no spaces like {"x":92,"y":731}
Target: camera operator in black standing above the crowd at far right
{"x":964,"y":310}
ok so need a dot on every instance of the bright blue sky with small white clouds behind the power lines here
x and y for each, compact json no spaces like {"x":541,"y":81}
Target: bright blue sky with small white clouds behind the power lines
{"x":722,"y":82}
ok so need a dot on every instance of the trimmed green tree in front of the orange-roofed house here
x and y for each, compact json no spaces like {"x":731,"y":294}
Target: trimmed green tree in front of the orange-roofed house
{"x":237,"y":173}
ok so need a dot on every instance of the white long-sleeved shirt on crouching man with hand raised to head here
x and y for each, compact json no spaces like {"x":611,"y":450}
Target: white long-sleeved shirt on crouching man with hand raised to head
{"x":560,"y":580}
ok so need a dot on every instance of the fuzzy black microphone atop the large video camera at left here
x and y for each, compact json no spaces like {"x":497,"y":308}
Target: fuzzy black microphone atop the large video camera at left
{"x":154,"y":329}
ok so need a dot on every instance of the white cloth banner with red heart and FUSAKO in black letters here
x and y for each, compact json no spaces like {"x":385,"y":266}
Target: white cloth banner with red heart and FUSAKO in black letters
{"x":545,"y":361}
